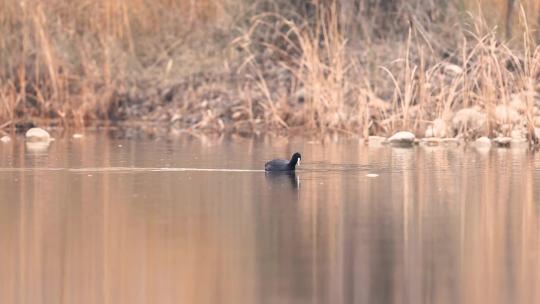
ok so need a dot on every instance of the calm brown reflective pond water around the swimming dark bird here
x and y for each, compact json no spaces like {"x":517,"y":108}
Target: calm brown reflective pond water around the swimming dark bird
{"x":103,"y":220}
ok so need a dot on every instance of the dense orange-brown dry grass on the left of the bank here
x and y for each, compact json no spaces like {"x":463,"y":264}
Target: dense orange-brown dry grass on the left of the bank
{"x":68,"y":60}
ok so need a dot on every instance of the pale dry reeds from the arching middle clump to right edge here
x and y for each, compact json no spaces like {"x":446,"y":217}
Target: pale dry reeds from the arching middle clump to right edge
{"x":427,"y":76}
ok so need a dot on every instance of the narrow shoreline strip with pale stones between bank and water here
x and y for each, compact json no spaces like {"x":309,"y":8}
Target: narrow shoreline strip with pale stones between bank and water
{"x":401,"y":139}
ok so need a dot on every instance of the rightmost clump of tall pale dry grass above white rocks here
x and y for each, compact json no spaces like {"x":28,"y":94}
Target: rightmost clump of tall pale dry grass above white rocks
{"x":488,"y":75}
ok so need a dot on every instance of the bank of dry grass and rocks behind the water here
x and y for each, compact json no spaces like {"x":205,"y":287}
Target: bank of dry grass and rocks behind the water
{"x":435,"y":68}
